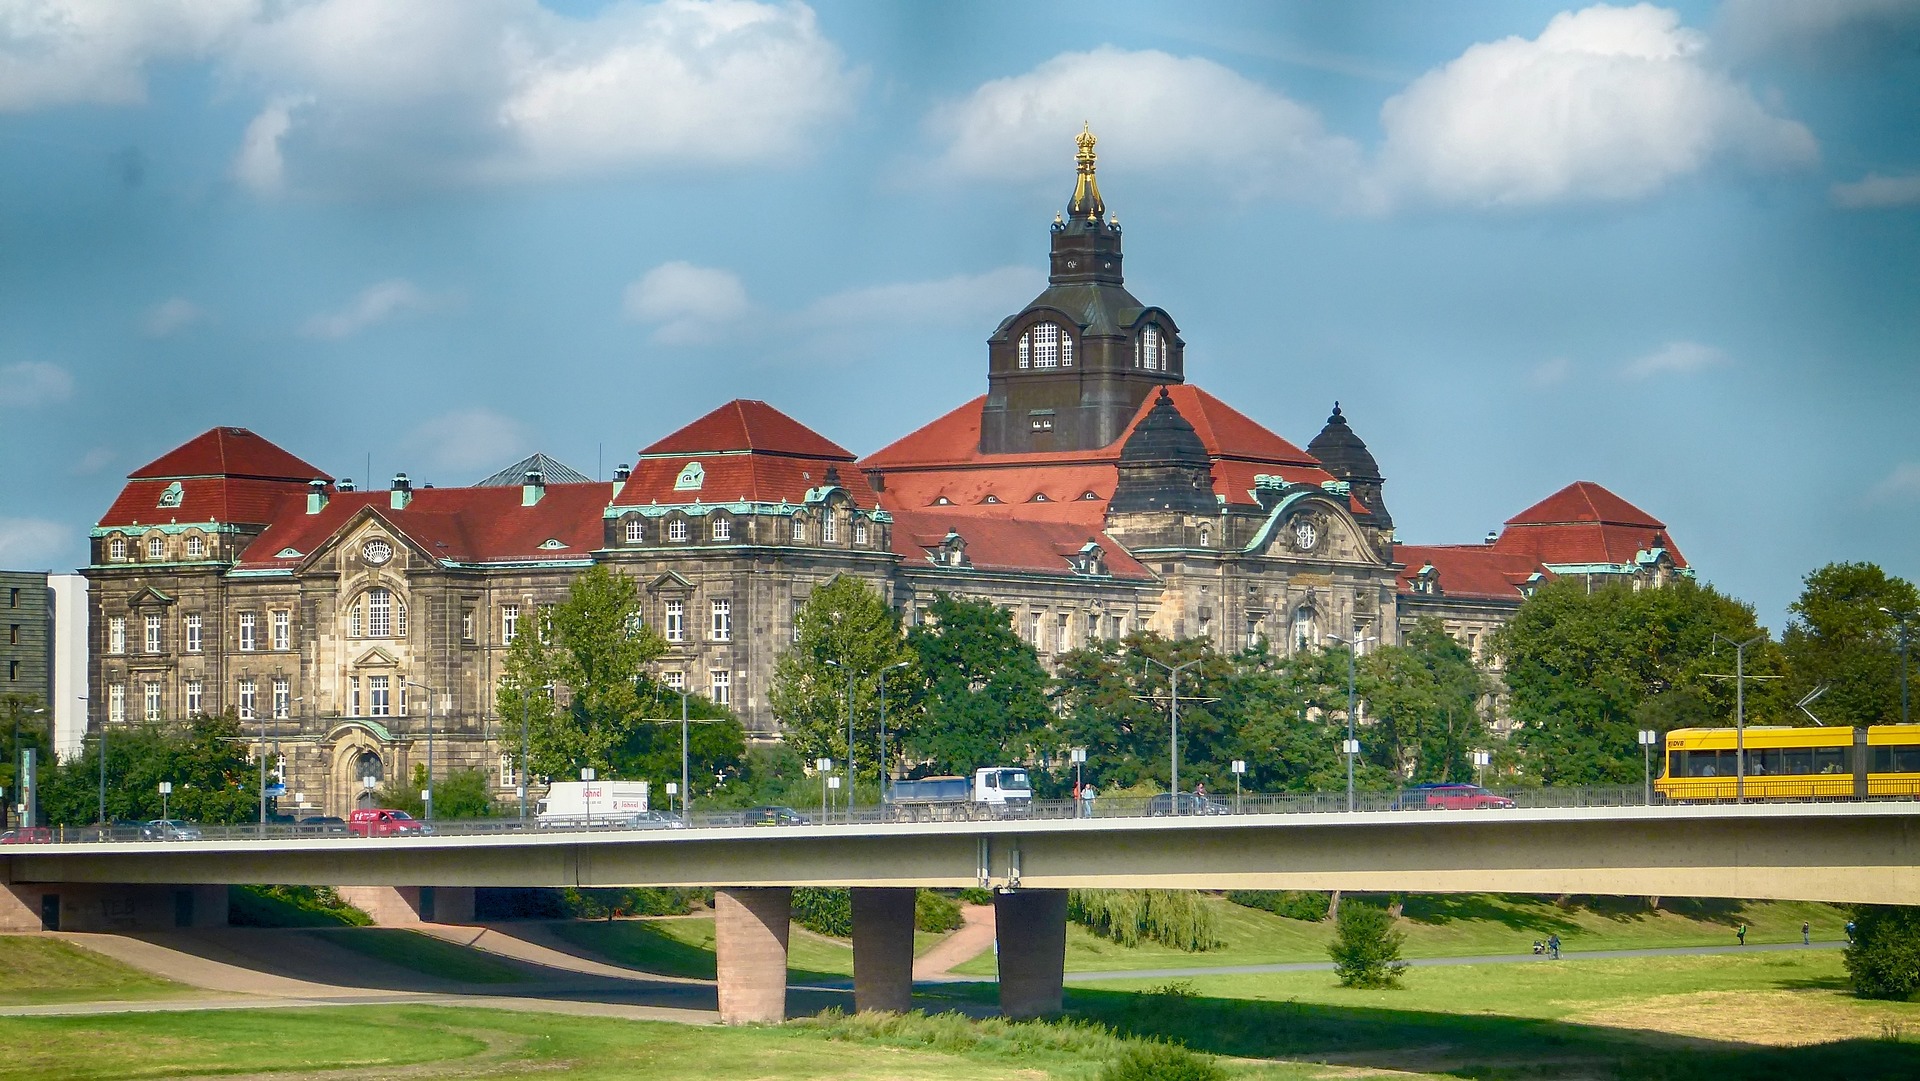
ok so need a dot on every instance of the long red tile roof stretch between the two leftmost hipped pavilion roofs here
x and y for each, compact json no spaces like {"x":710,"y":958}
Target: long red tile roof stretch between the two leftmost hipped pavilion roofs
{"x":462,"y":525}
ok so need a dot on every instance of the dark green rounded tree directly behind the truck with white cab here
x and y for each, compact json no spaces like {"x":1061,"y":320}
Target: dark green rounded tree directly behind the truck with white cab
{"x":986,"y":692}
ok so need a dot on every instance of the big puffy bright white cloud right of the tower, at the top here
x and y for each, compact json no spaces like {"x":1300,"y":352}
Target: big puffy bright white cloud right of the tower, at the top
{"x":1606,"y":105}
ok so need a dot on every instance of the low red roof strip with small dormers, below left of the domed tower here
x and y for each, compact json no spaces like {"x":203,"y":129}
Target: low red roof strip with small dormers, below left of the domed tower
{"x":996,"y":542}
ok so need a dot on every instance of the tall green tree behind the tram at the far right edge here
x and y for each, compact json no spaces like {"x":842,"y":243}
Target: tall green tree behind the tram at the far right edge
{"x":1846,"y":635}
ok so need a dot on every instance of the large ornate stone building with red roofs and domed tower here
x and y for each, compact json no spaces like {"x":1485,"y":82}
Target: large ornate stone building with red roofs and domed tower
{"x":1092,"y":491}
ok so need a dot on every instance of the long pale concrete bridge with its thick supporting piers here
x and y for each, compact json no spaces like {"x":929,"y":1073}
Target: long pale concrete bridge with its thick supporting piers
{"x":1813,"y":852}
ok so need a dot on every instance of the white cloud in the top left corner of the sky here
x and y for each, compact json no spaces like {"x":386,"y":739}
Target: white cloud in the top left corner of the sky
{"x":57,"y":53}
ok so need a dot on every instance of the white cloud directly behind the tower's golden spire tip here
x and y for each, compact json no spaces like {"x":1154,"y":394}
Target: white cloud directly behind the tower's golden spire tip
{"x":1153,"y":114}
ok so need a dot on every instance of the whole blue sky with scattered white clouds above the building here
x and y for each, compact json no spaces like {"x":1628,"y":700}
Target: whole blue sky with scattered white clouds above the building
{"x":1668,"y":249}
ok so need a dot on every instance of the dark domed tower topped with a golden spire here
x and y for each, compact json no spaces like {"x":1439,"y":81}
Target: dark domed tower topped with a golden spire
{"x":1072,"y":370}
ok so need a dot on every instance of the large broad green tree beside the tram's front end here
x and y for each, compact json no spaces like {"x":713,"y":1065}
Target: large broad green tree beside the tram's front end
{"x":1591,"y":667}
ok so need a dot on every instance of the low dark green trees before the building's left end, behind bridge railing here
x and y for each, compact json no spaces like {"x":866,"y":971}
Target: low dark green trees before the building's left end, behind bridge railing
{"x":204,"y":759}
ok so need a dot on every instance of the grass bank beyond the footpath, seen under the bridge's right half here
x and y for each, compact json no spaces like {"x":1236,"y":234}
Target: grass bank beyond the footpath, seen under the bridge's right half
{"x":1466,"y":926}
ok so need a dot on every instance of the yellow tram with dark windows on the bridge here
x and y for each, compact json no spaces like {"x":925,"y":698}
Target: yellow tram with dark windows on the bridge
{"x":1794,"y":763}
